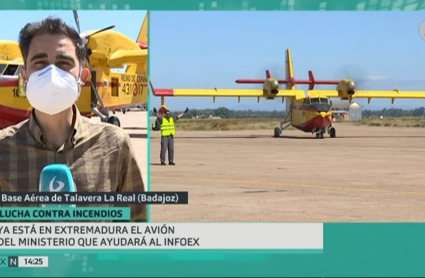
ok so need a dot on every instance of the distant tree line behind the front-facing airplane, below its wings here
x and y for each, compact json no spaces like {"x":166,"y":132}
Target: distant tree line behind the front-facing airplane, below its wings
{"x":224,"y":112}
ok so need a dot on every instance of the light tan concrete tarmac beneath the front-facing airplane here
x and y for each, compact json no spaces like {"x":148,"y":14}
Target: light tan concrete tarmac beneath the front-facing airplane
{"x":366,"y":174}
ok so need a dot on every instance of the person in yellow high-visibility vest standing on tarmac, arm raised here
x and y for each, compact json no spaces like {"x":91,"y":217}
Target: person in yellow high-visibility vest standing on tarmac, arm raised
{"x":167,"y":136}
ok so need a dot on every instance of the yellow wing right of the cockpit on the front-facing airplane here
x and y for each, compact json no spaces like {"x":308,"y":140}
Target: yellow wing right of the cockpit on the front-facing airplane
{"x":370,"y":94}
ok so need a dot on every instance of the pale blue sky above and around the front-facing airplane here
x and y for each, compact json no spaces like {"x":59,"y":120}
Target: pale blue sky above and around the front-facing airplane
{"x":213,"y":49}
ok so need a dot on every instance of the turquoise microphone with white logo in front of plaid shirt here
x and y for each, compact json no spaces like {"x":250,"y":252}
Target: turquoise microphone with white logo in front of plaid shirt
{"x":57,"y":178}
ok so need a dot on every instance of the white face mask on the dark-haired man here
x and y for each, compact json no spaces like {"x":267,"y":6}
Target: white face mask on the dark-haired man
{"x":52,"y":90}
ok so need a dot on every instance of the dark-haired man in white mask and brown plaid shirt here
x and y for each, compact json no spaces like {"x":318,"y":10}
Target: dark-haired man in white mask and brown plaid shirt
{"x":100,"y":155}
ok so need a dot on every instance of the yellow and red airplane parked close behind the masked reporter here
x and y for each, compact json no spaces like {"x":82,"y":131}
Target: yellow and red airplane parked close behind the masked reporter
{"x":105,"y":90}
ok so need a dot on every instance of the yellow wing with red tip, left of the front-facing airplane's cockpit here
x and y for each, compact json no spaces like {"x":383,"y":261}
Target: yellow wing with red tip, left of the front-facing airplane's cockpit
{"x":299,"y":94}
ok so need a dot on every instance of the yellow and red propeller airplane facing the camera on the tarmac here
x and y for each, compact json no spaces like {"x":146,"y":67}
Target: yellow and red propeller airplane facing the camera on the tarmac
{"x":312,"y":113}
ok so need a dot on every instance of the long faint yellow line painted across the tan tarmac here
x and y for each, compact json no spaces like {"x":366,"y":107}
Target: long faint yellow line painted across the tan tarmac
{"x":293,"y":185}
